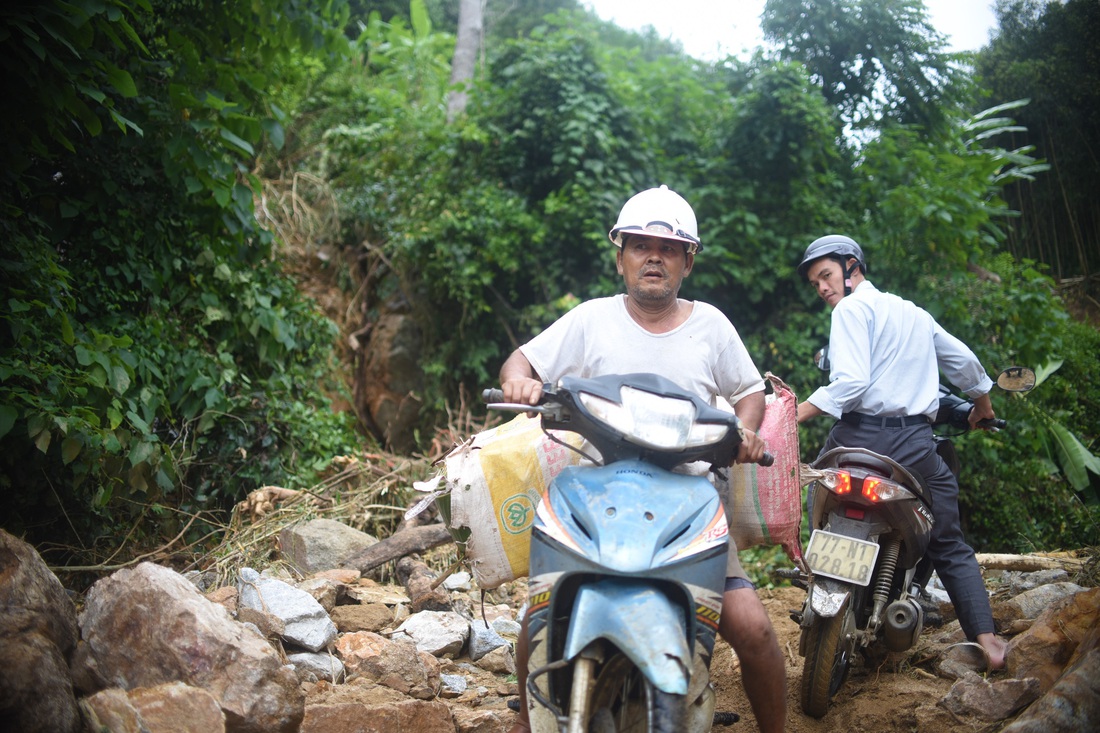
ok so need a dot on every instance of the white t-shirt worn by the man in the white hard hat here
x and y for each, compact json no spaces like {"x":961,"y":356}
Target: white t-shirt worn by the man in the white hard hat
{"x":705,"y":355}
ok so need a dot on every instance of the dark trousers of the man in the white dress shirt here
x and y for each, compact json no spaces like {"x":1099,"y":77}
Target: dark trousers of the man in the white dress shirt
{"x":952,"y":557}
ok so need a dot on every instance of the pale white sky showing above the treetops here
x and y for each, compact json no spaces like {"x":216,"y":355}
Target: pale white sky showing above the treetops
{"x":712,"y":29}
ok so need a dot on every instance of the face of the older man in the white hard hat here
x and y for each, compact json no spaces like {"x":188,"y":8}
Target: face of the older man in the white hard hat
{"x":653,"y":268}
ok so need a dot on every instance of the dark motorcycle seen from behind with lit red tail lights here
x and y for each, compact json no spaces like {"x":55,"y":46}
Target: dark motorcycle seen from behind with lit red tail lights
{"x":871,"y":522}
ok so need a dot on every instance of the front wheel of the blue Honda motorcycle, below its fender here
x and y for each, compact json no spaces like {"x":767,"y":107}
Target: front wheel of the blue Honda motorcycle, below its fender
{"x":624,"y":702}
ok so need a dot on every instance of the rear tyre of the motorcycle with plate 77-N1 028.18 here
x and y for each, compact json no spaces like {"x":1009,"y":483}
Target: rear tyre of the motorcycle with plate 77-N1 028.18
{"x":829,"y":653}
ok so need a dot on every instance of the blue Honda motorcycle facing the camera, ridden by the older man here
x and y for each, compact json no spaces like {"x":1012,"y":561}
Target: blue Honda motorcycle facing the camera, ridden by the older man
{"x":629,"y":560}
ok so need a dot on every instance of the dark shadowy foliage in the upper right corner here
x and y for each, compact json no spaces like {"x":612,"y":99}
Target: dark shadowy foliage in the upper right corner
{"x":1046,"y":52}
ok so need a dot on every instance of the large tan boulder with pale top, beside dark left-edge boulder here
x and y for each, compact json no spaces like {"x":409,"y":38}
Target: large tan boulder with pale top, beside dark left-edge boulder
{"x":148,"y":626}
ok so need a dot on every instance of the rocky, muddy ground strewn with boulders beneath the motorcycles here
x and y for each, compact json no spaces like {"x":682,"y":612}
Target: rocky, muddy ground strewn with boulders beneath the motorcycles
{"x":148,"y":649}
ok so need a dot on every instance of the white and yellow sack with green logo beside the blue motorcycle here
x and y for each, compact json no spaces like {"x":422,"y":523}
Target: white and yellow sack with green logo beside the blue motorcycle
{"x":494,"y":483}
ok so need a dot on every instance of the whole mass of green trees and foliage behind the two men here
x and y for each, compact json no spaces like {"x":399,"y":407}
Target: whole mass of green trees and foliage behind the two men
{"x":159,"y":358}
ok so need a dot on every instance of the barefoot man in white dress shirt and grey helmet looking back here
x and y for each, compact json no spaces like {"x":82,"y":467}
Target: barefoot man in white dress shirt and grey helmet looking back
{"x":886,"y":355}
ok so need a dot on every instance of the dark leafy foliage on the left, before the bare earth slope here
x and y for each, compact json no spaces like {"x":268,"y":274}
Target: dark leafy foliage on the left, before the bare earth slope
{"x":152,"y":354}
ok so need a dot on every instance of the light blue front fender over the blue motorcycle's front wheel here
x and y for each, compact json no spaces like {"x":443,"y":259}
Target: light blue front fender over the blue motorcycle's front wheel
{"x":643,"y":622}
